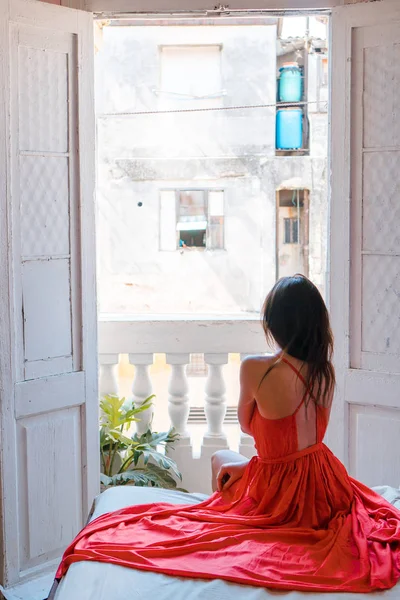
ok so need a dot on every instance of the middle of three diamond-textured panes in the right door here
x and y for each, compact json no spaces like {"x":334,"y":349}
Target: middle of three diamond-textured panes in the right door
{"x":381,"y":207}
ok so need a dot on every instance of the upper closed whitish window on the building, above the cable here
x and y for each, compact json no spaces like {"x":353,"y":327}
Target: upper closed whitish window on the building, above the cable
{"x":190,"y":77}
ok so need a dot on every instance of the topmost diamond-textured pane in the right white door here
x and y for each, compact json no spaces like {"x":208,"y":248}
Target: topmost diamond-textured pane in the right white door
{"x":381,"y":95}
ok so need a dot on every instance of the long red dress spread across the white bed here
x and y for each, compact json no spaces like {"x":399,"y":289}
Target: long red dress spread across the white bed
{"x":295,"y":521}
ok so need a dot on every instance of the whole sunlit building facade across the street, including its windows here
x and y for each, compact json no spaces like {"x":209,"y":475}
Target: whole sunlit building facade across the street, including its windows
{"x":198,"y":212}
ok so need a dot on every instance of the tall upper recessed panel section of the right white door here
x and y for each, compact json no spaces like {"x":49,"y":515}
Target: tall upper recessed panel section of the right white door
{"x":375,"y":256}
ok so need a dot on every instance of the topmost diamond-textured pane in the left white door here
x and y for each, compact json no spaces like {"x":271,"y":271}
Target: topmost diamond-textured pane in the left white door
{"x":43,"y":100}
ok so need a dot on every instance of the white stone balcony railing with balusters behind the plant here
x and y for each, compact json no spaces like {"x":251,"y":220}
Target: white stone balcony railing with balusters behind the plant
{"x":141,"y":339}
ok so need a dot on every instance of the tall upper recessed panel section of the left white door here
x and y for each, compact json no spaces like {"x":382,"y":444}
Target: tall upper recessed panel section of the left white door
{"x":44,"y":125}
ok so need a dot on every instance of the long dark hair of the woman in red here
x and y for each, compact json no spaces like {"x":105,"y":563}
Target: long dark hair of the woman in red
{"x":295,"y":316}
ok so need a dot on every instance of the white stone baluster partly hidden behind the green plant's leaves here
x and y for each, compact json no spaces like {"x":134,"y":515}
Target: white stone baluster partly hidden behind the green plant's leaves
{"x":142,"y":389}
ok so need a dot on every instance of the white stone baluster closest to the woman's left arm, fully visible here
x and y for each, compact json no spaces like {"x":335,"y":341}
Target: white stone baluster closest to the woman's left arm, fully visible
{"x":215,"y":405}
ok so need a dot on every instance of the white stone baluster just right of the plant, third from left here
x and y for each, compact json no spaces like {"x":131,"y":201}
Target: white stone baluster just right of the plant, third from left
{"x":178,"y":398}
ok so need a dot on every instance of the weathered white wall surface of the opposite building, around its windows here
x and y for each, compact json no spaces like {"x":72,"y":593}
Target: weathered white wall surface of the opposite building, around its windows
{"x":233,"y":150}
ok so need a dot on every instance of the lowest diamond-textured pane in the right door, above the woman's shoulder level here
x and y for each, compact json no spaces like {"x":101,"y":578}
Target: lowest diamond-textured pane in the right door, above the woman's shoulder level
{"x":381,"y":304}
